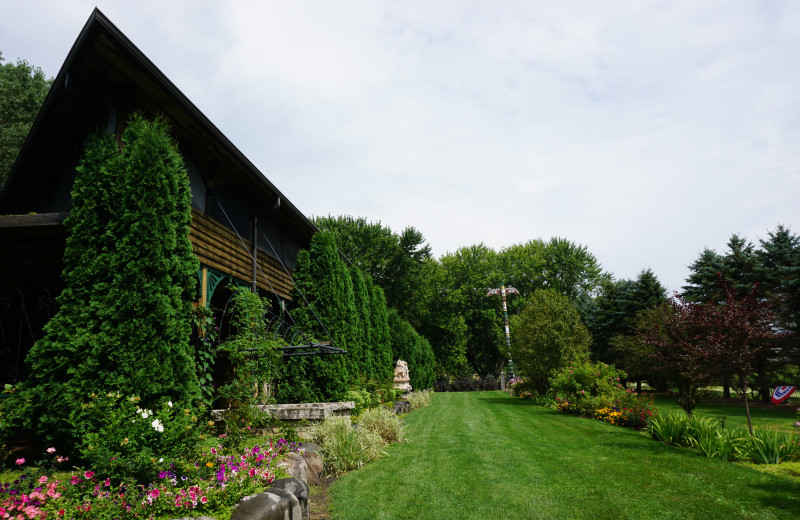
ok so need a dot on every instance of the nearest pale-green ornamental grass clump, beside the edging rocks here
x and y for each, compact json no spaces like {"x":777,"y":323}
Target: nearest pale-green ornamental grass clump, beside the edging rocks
{"x":343,"y":447}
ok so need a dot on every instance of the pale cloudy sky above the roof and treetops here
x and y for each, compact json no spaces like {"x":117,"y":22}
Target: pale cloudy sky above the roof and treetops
{"x":645,"y":131}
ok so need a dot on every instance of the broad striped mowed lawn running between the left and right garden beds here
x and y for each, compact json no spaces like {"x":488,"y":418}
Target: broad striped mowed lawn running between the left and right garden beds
{"x":484,"y":455}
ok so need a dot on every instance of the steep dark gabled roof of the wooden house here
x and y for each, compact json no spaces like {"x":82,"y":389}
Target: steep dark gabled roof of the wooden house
{"x":103,"y":79}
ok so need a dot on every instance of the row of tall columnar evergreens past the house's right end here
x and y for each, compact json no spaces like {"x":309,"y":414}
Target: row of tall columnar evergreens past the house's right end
{"x":342,"y":305}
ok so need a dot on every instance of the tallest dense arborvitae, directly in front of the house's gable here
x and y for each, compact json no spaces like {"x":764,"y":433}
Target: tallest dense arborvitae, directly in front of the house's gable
{"x":125,"y":318}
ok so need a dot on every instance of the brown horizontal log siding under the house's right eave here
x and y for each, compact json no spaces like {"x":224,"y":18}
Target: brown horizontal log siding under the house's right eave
{"x":218,"y":247}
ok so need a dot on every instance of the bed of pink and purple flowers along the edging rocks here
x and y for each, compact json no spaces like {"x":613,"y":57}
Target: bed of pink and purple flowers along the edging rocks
{"x":209,"y":486}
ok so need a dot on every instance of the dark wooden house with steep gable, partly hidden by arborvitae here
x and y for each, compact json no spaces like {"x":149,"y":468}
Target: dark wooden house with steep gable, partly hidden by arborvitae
{"x":243,"y":229}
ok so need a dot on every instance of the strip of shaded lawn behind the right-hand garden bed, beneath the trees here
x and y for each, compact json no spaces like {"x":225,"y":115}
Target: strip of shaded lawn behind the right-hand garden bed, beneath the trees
{"x":779,"y":417}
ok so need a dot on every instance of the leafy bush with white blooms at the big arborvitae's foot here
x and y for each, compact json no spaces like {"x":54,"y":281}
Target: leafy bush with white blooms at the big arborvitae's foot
{"x":123,"y":440}
